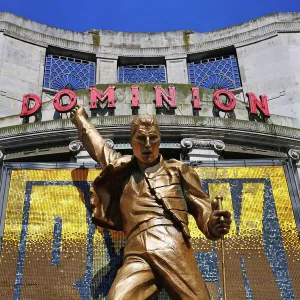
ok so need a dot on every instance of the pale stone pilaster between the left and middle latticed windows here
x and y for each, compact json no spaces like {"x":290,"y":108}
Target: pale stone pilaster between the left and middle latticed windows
{"x":107,"y":69}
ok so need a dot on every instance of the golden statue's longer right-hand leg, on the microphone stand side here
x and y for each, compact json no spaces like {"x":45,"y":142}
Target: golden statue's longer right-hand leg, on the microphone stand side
{"x":173,"y":259}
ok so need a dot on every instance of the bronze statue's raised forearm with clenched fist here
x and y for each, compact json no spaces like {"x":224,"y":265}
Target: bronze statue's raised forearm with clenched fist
{"x":91,"y":139}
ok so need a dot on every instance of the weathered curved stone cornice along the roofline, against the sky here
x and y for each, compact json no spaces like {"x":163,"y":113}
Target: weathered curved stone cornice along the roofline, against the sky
{"x":239,"y":35}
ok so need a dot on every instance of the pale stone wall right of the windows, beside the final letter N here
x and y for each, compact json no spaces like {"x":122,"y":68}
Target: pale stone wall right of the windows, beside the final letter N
{"x":271,"y":67}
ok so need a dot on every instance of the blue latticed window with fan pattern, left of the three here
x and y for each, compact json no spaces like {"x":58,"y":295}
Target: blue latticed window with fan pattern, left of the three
{"x":68,"y":73}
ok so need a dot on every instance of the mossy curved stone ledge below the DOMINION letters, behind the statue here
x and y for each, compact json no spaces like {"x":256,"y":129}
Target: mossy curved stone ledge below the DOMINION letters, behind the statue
{"x":171,"y":126}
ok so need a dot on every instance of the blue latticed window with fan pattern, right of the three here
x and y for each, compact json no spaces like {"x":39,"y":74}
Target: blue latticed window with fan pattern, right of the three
{"x":215,"y":73}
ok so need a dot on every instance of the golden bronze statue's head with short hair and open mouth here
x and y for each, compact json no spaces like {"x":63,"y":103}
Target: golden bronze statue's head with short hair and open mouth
{"x":145,"y":139}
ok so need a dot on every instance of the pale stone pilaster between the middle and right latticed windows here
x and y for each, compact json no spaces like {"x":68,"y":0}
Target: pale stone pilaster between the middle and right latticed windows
{"x":177,"y":69}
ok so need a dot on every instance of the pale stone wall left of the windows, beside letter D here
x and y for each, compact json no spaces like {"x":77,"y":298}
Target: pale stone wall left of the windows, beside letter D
{"x":21,"y":72}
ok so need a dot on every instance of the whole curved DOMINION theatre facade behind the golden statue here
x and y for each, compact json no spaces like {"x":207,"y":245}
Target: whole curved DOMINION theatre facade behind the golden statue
{"x":228,"y":104}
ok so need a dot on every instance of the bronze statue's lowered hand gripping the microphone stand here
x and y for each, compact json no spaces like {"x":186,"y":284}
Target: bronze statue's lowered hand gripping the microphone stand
{"x":219,"y":220}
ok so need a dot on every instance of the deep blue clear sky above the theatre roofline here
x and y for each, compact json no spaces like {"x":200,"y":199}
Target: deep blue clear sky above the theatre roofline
{"x":145,"y":15}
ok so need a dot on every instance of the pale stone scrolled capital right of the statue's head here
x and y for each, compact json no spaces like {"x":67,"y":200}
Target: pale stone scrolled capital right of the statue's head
{"x":201,"y":150}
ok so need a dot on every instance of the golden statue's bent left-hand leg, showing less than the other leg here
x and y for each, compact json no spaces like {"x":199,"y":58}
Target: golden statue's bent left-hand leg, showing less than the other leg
{"x":134,"y":280}
